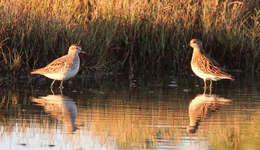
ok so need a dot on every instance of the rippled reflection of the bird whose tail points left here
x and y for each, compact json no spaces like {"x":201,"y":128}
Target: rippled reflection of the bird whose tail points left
{"x":61,"y":107}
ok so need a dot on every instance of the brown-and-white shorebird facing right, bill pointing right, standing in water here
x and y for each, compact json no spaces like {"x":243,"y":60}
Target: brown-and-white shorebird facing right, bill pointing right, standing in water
{"x":62,"y":68}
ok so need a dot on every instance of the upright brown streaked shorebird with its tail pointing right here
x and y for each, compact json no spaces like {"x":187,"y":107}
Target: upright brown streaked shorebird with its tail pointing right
{"x":205,"y":67}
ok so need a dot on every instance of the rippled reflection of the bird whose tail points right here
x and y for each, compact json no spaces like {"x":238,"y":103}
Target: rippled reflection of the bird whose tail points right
{"x":201,"y":106}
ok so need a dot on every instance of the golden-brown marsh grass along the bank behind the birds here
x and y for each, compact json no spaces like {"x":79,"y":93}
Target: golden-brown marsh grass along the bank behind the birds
{"x":137,"y":36}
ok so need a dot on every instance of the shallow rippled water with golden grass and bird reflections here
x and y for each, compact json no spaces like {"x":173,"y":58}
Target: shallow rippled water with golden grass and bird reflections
{"x":167,"y":114}
